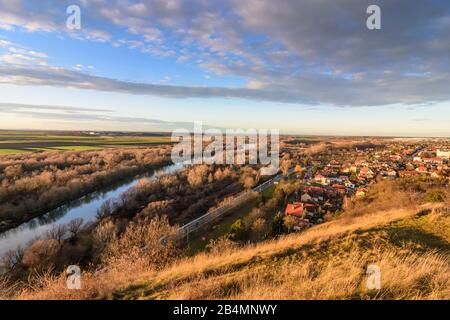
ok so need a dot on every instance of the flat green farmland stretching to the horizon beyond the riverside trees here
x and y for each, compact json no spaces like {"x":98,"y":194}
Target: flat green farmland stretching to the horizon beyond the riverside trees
{"x":16,"y":142}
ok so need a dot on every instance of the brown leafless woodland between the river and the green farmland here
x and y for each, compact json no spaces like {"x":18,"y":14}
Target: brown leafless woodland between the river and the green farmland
{"x":33,"y":184}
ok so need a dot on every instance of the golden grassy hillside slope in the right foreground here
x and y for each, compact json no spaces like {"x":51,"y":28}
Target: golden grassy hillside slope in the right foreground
{"x":326,"y":262}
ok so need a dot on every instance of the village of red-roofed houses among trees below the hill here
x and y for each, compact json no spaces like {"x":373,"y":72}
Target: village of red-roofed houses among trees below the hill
{"x":331,"y":178}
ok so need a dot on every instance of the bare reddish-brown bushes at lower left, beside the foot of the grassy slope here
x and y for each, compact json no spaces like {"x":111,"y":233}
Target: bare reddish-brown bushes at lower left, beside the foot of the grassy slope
{"x":136,"y":251}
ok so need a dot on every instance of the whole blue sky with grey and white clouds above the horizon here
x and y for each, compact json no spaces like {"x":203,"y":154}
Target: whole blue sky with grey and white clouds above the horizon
{"x":300,"y":66}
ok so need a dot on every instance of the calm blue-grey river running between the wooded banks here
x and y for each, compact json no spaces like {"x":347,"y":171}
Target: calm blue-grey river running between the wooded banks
{"x":85,"y":208}
